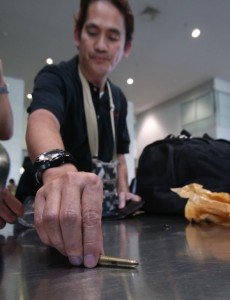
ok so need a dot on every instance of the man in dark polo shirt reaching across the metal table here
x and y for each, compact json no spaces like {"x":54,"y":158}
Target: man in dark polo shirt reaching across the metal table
{"x":68,"y":206}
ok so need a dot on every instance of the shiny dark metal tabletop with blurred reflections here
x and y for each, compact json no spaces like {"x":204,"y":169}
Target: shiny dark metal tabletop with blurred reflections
{"x":177,"y":261}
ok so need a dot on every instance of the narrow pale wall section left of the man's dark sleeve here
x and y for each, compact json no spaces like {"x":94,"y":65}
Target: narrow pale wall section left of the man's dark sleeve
{"x":15,"y":145}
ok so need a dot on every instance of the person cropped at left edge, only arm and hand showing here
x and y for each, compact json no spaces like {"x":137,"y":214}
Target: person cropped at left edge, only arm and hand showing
{"x":10,"y":207}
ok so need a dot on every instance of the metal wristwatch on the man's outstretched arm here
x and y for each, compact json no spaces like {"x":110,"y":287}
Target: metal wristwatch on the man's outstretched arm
{"x":51,"y":159}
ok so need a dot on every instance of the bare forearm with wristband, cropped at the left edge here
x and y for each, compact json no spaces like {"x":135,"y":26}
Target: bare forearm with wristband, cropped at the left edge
{"x":6,"y":115}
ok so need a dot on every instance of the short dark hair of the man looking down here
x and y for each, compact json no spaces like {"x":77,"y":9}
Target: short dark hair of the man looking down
{"x":122,"y":5}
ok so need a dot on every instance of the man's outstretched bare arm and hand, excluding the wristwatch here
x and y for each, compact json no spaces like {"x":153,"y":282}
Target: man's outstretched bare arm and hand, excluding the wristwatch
{"x":68,"y":207}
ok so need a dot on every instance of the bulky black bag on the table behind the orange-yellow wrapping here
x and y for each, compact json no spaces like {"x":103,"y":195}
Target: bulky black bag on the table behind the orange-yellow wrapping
{"x":177,"y":161}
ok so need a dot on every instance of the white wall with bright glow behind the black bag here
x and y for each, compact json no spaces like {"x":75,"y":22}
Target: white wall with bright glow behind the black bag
{"x":164,"y":119}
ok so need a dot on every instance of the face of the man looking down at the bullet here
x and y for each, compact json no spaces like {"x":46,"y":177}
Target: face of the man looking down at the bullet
{"x":102,"y":41}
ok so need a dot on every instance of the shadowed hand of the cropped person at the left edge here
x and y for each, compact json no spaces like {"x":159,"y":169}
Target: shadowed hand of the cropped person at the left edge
{"x":10,"y":208}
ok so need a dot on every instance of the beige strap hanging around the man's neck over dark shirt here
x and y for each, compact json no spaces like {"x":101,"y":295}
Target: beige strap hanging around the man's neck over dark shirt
{"x":91,"y":120}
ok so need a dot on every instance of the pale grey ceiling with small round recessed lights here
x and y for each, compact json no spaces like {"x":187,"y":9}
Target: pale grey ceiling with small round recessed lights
{"x":165,"y":60}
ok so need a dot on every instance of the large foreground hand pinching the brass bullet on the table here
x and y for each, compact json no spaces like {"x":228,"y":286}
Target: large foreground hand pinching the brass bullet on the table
{"x":68,"y":211}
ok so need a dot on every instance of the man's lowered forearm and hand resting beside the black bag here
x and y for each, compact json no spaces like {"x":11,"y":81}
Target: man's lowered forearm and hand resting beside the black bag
{"x":122,"y":185}
